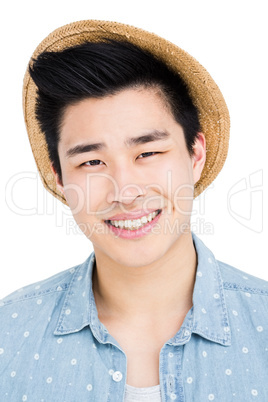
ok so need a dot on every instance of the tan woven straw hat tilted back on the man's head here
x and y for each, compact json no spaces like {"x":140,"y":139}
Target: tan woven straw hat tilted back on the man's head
{"x":213,"y":112}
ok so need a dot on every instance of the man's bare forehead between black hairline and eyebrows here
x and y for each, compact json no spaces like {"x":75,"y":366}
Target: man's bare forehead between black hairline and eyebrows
{"x":116,"y":117}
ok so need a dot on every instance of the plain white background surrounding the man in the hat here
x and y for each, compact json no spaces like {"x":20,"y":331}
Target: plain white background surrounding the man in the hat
{"x":230,"y":39}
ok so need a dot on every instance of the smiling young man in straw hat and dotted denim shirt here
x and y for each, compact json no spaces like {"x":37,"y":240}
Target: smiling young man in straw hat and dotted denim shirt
{"x":132,"y":128}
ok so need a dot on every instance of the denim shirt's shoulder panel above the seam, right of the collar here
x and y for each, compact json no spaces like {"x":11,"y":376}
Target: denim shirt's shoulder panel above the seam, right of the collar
{"x":237,"y":280}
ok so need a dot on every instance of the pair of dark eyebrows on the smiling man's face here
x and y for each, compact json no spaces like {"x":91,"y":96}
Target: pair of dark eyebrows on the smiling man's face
{"x":155,"y":135}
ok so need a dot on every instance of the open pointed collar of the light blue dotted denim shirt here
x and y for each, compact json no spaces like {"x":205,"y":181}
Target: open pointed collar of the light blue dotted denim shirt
{"x":208,"y":316}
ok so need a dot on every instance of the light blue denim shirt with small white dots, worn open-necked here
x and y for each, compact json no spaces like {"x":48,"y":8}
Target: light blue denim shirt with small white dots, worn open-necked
{"x":53,"y":347}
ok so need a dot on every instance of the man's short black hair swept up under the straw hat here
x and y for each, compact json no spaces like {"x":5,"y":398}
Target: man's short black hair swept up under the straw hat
{"x":95,"y":70}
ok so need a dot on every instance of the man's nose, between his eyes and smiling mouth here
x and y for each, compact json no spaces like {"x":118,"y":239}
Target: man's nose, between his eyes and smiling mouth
{"x":127,"y":187}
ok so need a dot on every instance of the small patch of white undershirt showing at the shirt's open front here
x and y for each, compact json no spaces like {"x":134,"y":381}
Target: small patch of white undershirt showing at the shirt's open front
{"x":148,"y":394}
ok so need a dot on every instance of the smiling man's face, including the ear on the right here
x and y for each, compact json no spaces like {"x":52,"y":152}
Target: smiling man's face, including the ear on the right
{"x":127,"y":175}
